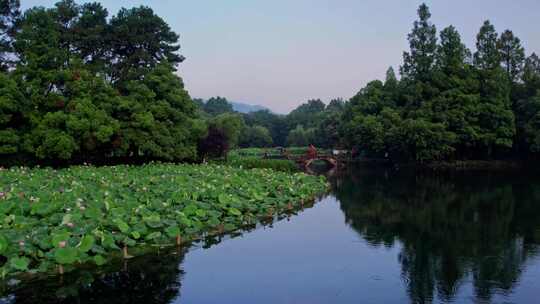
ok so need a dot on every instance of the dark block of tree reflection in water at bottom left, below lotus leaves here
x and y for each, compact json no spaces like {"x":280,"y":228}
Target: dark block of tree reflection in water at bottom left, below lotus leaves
{"x":149,"y":279}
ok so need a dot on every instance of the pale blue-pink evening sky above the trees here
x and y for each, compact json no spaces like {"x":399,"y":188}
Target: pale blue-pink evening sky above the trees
{"x":281,"y":53}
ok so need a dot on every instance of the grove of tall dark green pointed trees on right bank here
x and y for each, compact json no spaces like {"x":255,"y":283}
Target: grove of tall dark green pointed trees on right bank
{"x":447,"y":106}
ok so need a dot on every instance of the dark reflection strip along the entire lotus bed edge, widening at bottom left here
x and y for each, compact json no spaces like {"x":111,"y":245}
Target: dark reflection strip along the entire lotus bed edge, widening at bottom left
{"x":154,"y":278}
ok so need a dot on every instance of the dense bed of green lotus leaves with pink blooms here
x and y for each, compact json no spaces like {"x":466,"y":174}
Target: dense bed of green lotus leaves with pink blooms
{"x":58,"y":220}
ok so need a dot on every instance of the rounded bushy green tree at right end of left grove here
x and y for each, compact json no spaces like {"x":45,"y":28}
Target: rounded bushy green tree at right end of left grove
{"x":157,"y":117}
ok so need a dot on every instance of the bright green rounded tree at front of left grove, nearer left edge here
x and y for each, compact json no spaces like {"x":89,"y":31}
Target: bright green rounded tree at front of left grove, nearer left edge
{"x":78,"y":124}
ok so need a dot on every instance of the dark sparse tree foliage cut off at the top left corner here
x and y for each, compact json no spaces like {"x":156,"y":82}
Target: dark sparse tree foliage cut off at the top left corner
{"x":9,"y":15}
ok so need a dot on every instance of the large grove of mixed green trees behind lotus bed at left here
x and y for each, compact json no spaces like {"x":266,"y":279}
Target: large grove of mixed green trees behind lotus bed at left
{"x":90,"y":88}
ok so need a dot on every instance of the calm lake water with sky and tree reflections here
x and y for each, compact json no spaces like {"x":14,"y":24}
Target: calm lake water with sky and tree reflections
{"x":380,"y":236}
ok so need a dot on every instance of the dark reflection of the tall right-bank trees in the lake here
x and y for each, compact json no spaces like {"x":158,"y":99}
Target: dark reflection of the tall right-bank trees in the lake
{"x":452,"y":228}
